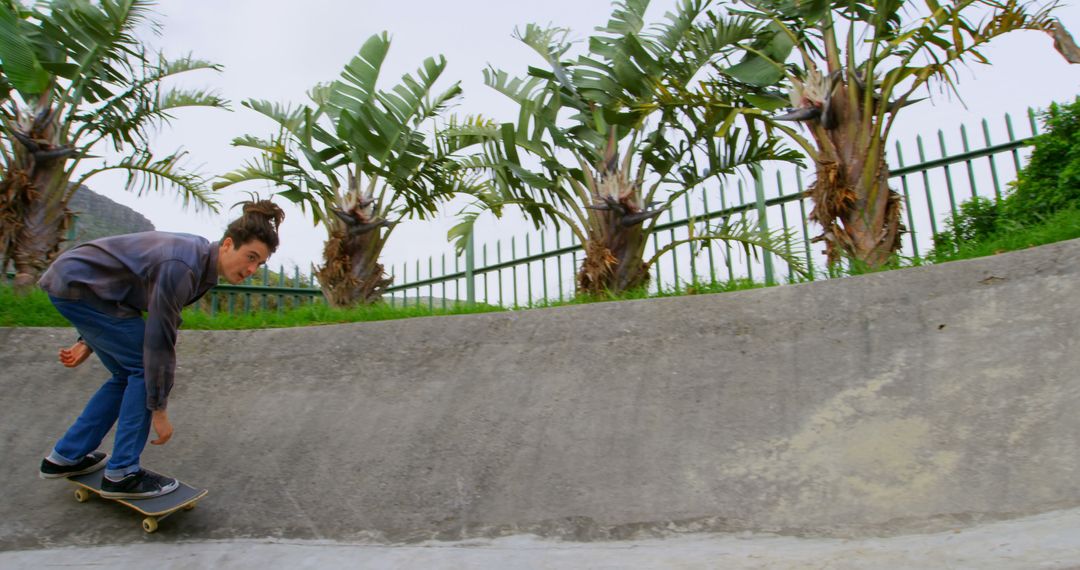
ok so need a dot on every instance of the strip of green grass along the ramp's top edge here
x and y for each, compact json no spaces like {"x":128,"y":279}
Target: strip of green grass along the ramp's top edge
{"x":35,"y":310}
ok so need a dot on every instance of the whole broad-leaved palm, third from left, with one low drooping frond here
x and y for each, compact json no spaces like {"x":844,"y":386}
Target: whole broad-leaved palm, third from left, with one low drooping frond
{"x":604,"y":144}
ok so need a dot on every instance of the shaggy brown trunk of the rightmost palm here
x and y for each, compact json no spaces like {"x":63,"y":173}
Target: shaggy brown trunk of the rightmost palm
{"x":858,"y":211}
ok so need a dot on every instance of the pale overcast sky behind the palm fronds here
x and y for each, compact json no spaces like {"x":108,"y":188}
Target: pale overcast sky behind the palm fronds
{"x":277,"y":50}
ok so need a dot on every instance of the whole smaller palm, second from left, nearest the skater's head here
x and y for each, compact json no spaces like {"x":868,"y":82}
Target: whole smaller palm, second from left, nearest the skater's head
{"x":362,"y":161}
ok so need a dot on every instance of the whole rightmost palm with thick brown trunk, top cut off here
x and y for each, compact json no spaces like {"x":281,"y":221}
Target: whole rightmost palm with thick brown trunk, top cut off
{"x":857,"y":65}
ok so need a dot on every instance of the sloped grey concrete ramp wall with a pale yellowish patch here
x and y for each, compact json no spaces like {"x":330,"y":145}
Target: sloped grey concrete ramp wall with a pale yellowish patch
{"x":916,"y":401}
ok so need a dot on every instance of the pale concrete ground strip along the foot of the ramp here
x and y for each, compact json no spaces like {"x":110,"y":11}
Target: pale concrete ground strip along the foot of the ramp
{"x":1049,"y":541}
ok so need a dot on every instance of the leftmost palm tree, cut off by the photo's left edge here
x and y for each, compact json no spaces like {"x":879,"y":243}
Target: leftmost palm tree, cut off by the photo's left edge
{"x":75,"y":79}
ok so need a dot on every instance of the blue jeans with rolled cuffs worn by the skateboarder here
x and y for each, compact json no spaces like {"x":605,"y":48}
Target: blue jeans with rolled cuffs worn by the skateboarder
{"x":118,"y":343}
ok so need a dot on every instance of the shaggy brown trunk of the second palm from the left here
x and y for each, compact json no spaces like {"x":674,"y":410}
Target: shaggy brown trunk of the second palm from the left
{"x":353,"y":275}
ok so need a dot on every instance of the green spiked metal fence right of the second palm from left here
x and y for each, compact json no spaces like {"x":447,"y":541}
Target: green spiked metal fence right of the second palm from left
{"x":542,"y":267}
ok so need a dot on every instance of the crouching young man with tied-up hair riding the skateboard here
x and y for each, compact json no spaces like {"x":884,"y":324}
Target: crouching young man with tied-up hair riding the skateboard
{"x":103,"y":288}
